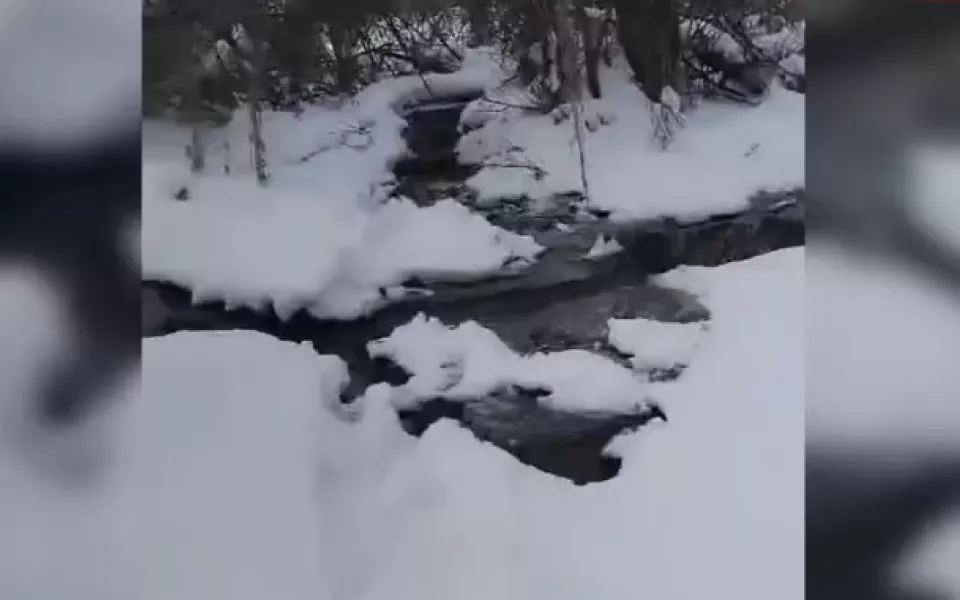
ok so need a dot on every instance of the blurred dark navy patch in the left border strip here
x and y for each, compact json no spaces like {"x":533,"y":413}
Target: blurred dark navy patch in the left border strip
{"x":65,"y":213}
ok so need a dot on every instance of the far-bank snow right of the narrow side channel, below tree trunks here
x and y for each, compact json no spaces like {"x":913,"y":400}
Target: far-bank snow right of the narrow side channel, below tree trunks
{"x":707,"y":169}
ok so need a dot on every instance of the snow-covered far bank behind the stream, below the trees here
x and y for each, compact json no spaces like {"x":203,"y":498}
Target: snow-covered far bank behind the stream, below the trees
{"x":324,"y":237}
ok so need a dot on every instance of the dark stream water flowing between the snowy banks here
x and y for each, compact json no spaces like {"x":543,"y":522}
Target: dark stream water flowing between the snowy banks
{"x":561,"y":302}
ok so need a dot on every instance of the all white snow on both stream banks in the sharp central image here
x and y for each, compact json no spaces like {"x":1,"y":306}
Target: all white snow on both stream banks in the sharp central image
{"x":242,"y":476}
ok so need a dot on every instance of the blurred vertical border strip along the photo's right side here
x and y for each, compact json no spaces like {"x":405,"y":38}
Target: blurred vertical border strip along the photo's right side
{"x":883,"y":450}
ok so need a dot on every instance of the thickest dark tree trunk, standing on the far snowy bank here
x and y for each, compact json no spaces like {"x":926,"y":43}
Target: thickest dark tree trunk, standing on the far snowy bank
{"x":649,"y":32}
